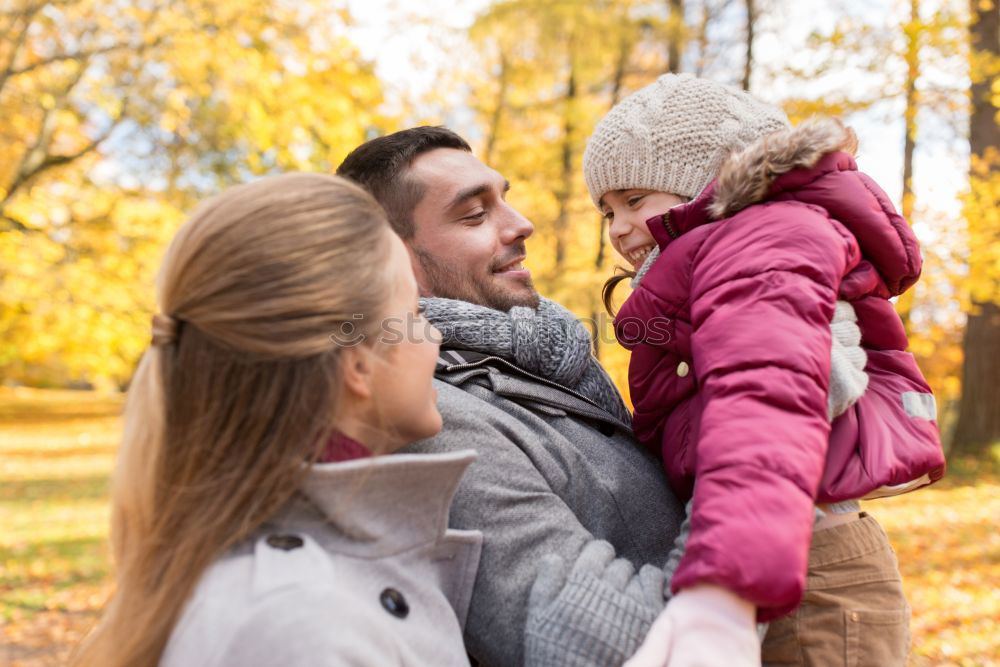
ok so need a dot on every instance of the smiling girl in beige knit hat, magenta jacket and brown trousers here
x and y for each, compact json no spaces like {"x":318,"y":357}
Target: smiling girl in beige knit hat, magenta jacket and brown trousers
{"x":743,"y":234}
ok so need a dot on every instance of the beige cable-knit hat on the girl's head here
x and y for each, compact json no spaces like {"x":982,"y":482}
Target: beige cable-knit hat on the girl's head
{"x":673,"y":135}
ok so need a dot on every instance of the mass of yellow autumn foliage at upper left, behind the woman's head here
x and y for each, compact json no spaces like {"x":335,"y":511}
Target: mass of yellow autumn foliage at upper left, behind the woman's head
{"x":117,"y":118}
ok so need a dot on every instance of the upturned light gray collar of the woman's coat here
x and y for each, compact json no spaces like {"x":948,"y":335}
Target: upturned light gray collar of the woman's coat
{"x":378,"y":506}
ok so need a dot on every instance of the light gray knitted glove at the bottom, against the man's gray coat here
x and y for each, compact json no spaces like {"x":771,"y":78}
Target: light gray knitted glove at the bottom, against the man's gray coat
{"x":596,"y":614}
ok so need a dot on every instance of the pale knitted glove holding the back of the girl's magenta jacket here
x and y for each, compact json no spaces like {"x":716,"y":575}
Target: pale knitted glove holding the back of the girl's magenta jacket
{"x":848,"y":379}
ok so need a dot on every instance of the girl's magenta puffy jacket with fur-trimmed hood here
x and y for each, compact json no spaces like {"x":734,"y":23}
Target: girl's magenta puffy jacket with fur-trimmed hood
{"x":730,"y":339}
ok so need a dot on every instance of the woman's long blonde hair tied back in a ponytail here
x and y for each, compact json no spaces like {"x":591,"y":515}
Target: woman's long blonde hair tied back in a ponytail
{"x":221,"y":420}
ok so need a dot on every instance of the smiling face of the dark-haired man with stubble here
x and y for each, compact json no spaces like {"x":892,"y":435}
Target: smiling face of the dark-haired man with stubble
{"x":468,"y":243}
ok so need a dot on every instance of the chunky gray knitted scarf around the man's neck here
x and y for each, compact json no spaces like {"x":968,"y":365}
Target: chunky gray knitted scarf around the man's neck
{"x":549,"y":342}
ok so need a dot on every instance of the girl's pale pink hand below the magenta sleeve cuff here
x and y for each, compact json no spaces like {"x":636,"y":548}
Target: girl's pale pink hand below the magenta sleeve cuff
{"x":703,"y":626}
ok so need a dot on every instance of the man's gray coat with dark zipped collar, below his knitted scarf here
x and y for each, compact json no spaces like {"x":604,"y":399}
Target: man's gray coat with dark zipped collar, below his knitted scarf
{"x":555,"y":473}
